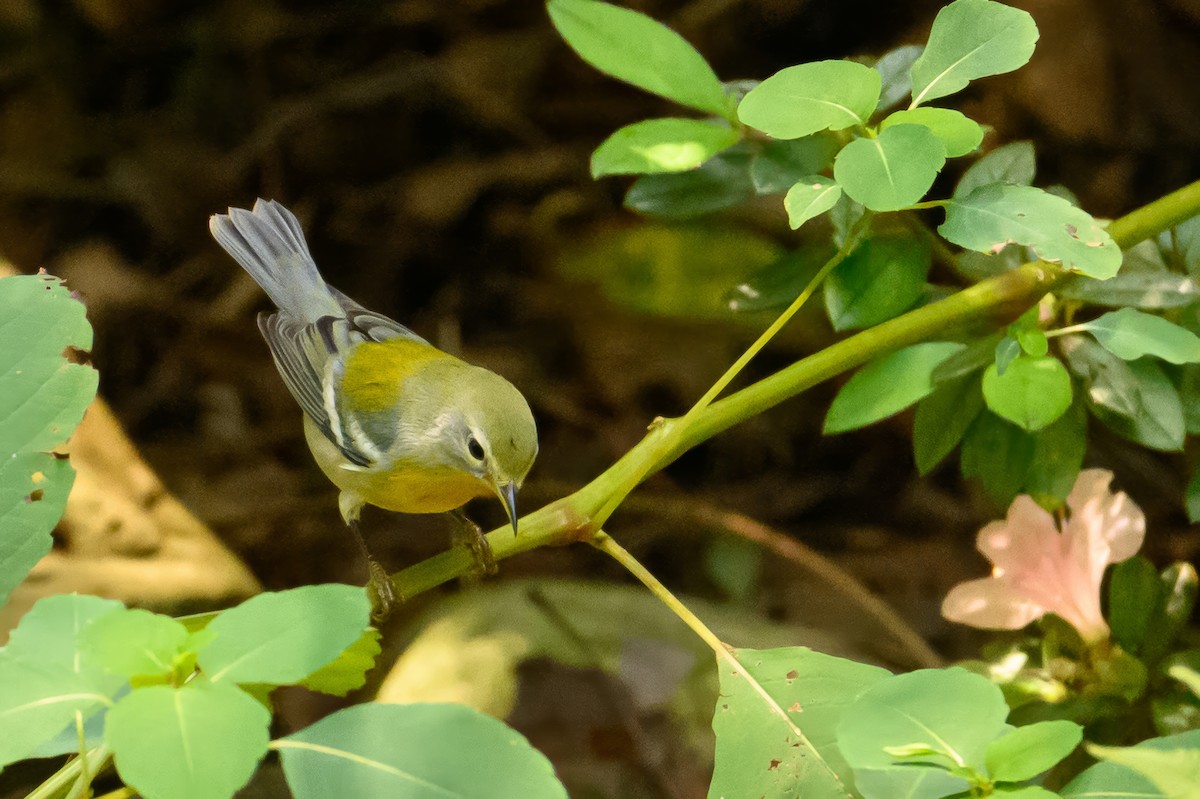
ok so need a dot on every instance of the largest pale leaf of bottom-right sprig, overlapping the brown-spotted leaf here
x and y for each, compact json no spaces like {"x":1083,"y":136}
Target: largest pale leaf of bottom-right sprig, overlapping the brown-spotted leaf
{"x":952,"y":712}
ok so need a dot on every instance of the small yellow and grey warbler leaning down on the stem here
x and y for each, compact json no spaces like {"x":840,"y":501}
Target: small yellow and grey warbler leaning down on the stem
{"x":392,"y":420}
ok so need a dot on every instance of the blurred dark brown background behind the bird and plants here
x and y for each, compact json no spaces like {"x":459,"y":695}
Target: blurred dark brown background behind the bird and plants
{"x":437,"y":155}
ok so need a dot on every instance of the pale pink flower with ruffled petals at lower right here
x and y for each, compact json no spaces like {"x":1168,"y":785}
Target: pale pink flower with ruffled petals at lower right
{"x":1039,"y":569}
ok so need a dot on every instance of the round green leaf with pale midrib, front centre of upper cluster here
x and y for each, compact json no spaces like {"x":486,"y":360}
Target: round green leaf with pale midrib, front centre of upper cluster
{"x":892,"y":171}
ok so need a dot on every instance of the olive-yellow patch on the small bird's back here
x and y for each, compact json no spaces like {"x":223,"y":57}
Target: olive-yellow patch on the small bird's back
{"x":375,"y":371}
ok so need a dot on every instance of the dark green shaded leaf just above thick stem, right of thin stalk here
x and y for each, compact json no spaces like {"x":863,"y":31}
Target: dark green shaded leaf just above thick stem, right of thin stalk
{"x":883,"y":279}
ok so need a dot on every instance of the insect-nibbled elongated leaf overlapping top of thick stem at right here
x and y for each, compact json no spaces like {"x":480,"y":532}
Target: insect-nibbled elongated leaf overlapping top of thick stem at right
{"x":993,"y":215}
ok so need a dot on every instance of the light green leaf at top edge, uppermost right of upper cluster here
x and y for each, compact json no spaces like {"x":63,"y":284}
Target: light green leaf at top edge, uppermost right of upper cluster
{"x":970,"y":40}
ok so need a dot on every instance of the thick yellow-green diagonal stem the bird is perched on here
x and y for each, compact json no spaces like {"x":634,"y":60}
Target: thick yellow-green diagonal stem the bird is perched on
{"x":989,"y":305}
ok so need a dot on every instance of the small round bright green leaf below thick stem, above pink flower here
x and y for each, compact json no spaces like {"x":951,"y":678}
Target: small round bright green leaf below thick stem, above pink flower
{"x":1033,"y":393}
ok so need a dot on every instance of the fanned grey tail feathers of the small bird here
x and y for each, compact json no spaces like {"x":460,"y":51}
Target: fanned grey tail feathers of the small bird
{"x":269,"y":244}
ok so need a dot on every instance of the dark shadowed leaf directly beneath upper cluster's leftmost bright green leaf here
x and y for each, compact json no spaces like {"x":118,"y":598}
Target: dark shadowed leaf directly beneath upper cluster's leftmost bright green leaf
{"x":721,"y":183}
